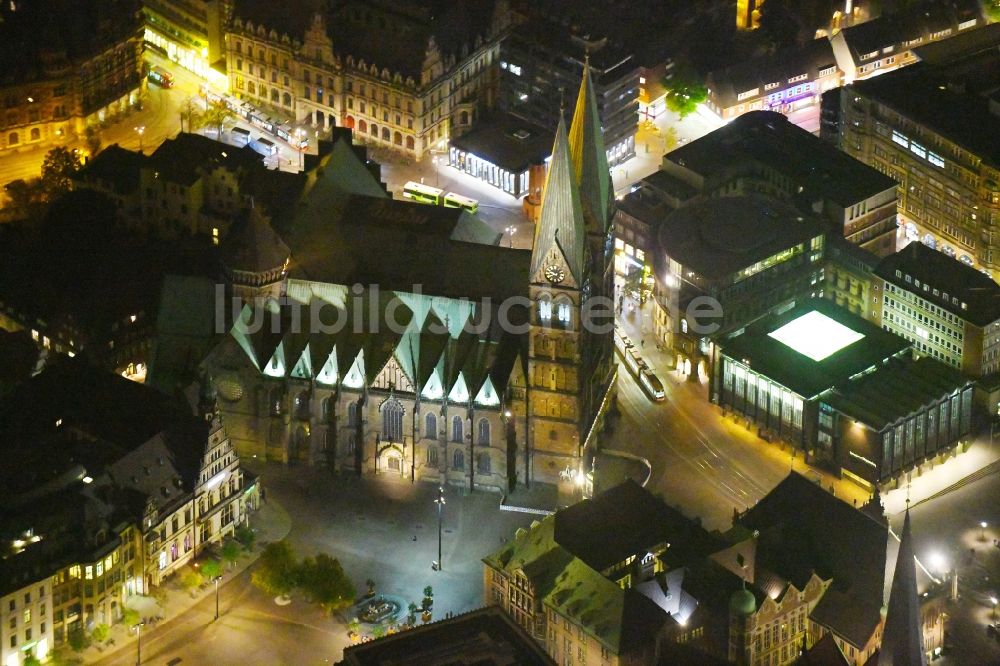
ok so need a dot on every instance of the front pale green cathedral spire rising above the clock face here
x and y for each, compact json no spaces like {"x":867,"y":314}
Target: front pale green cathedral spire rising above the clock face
{"x":560,"y":226}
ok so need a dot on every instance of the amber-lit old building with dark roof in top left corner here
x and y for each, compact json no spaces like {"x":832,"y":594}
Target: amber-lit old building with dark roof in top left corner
{"x":63,"y":66}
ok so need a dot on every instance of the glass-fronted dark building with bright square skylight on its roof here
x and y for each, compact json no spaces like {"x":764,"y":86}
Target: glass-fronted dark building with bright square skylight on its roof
{"x":844,"y":391}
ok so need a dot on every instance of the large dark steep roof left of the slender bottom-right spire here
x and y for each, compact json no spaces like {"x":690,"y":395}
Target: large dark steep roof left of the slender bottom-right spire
{"x":805,"y":529}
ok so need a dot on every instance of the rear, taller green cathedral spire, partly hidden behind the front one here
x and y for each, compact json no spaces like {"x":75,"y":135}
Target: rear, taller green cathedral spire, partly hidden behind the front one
{"x":590,"y":159}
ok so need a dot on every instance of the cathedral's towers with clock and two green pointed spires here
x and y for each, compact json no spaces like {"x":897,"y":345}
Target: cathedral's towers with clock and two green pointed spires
{"x":570,"y":356}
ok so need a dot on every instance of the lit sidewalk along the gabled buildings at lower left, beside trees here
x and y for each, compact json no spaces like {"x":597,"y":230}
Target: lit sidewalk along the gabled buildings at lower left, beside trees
{"x":270,"y":523}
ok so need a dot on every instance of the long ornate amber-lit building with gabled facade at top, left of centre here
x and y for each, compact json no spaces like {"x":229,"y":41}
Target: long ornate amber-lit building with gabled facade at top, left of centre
{"x":335,"y":67}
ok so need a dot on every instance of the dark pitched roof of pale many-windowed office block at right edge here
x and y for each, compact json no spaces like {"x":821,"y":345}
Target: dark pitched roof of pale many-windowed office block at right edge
{"x":977,"y":296}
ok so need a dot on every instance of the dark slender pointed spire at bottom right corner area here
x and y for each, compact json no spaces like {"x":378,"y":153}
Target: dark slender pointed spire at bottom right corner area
{"x":902,"y":640}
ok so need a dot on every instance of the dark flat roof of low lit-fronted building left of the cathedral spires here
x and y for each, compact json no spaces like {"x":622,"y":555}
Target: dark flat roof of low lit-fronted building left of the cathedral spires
{"x":508,"y":142}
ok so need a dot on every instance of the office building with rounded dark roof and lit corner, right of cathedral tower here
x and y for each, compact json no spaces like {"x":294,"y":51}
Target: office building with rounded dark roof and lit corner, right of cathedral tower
{"x":747,"y":255}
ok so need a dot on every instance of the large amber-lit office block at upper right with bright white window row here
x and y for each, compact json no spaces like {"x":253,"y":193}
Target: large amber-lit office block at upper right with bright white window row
{"x":933,"y":127}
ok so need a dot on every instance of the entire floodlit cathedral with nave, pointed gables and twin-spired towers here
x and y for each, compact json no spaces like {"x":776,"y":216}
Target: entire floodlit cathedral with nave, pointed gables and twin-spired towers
{"x":393,"y":338}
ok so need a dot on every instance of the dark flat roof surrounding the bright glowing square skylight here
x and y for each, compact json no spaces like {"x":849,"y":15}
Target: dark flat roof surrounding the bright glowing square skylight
{"x":802,"y":374}
